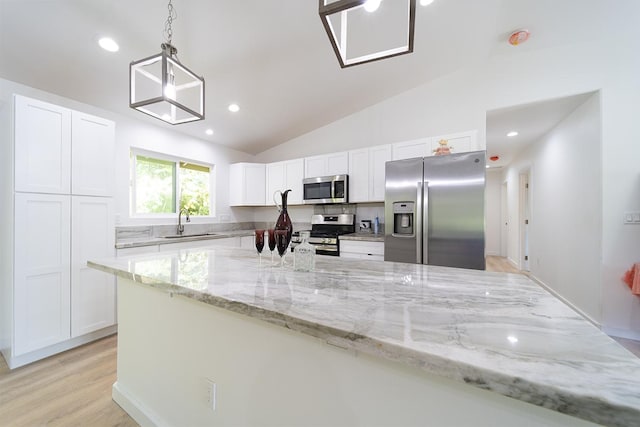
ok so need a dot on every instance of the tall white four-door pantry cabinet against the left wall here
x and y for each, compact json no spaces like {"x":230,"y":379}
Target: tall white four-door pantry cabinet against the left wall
{"x":63,"y":215}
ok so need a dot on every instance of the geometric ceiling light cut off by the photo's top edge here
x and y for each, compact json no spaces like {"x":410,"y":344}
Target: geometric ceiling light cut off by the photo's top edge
{"x":362,"y":31}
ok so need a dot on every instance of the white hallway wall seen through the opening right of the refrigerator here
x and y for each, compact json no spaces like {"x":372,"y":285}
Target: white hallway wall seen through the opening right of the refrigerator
{"x":566,"y":213}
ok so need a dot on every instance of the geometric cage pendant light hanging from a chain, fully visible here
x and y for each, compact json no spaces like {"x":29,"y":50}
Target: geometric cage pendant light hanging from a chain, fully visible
{"x":164,"y":88}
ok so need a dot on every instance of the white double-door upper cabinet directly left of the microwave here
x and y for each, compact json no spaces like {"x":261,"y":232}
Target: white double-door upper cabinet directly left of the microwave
{"x":283,"y":176}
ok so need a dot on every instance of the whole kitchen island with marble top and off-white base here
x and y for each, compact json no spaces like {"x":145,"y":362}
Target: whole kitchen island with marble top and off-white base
{"x":213,"y":336}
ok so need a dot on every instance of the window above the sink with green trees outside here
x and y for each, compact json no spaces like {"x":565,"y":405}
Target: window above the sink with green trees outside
{"x":161,"y":184}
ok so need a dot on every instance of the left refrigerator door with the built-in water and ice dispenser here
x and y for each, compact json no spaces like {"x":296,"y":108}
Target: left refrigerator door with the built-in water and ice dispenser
{"x":403,"y":211}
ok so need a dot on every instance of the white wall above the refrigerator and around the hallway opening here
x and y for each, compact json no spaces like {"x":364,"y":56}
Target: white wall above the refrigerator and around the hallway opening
{"x":459,"y":101}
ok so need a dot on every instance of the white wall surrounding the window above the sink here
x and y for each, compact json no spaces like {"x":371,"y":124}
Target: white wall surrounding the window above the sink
{"x":137,"y":133}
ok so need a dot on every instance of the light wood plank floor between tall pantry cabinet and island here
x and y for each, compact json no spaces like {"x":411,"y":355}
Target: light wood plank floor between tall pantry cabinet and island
{"x":69,"y":389}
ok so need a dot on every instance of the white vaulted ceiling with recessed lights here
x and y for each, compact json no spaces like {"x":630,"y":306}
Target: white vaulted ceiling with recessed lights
{"x":271,"y":57}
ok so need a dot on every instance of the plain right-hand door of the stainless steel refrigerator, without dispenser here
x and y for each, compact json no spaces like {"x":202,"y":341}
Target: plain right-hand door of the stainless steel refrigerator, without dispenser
{"x":454,"y":210}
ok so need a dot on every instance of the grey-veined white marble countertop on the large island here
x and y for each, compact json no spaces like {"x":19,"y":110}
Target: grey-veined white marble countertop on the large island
{"x":496,"y":331}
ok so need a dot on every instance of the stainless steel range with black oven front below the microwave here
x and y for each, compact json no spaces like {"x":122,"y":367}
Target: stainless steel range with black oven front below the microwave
{"x":325,"y":232}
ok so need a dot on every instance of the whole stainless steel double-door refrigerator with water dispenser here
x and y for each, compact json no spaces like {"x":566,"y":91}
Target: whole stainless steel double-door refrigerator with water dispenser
{"x":434,"y":210}
